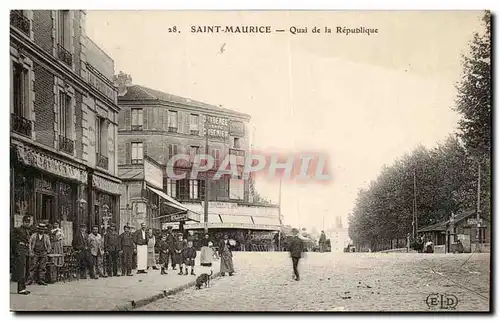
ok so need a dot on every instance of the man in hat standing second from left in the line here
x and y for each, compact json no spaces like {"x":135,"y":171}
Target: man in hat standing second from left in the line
{"x":39,"y":250}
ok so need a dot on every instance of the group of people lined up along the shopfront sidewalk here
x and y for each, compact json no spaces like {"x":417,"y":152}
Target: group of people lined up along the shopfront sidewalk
{"x":92,"y":249}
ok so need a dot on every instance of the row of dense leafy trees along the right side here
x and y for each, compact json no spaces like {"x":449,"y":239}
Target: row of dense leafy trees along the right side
{"x":446,"y":177}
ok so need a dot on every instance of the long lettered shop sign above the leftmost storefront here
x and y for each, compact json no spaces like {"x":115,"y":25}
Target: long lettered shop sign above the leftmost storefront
{"x":31,"y":158}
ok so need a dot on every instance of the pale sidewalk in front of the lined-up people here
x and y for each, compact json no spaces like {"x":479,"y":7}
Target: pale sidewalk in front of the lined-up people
{"x":106,"y":294}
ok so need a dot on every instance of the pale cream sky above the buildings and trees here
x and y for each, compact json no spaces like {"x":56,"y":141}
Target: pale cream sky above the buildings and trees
{"x":362,"y":100}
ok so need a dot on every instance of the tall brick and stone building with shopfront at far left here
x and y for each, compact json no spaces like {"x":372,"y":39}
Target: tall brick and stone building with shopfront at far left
{"x":64,"y":122}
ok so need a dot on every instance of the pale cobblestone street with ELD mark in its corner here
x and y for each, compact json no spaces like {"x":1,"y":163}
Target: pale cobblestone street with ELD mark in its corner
{"x":341,"y":282}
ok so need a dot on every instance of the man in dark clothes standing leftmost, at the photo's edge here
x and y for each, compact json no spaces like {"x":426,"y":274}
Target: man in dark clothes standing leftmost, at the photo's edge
{"x":21,"y":242}
